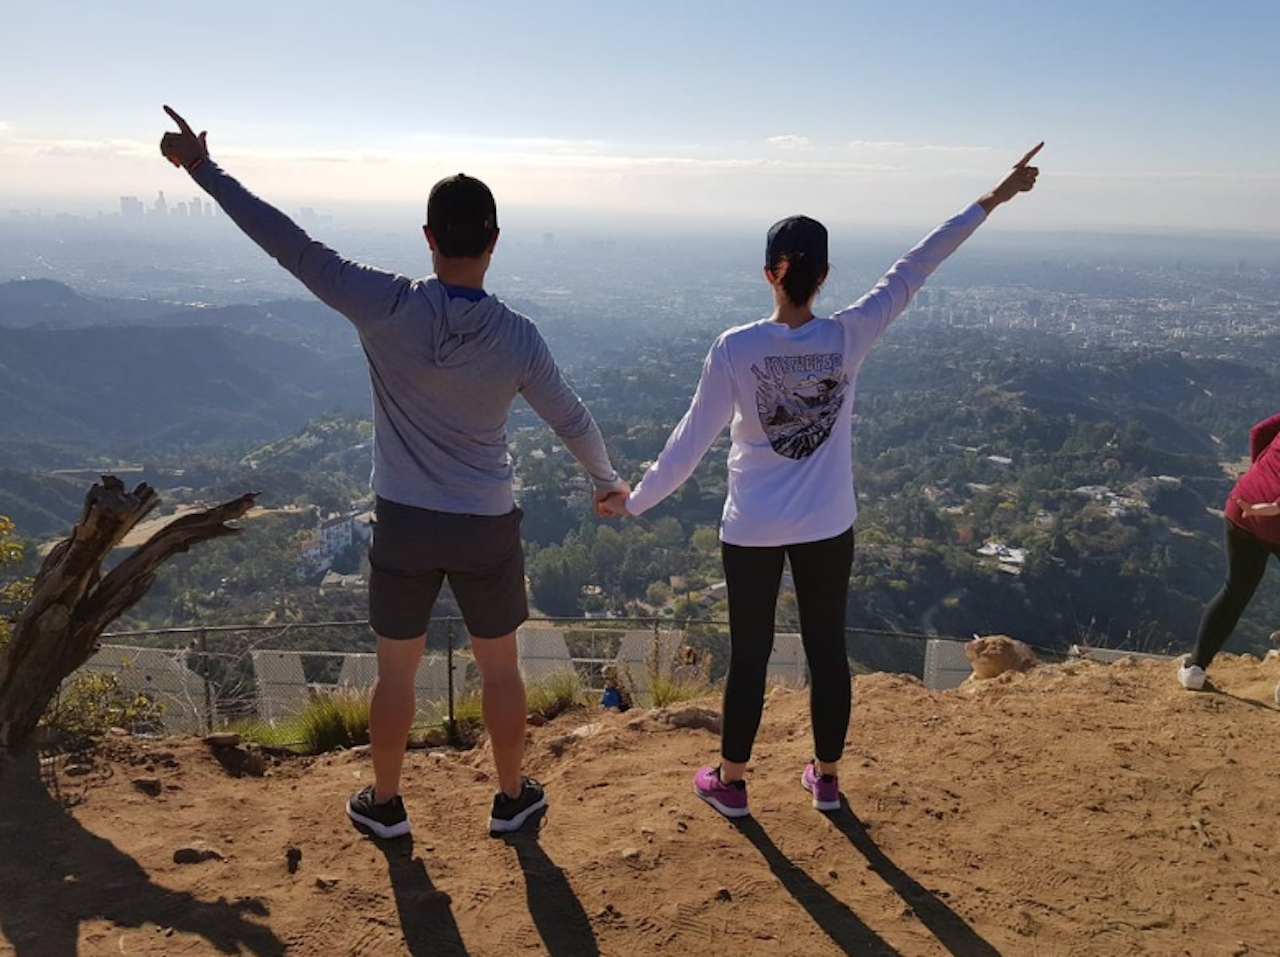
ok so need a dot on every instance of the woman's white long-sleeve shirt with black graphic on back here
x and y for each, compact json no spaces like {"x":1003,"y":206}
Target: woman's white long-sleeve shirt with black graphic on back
{"x":788,"y":397}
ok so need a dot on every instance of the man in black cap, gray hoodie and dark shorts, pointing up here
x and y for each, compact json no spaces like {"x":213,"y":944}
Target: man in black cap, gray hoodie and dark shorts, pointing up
{"x":446,"y":361}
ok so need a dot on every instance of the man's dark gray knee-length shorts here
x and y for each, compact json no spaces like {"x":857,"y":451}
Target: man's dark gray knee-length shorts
{"x":417,"y":550}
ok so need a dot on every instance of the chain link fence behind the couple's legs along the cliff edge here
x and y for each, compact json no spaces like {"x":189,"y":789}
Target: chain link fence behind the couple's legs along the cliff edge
{"x":212,"y":677}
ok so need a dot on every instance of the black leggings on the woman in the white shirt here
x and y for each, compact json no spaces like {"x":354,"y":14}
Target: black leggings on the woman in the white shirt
{"x":752,"y":575}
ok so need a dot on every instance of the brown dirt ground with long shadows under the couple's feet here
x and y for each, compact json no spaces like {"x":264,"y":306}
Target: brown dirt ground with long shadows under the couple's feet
{"x":1076,"y":811}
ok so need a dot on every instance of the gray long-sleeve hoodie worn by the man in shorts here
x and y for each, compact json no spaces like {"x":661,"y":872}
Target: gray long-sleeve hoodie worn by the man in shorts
{"x":445,"y":370}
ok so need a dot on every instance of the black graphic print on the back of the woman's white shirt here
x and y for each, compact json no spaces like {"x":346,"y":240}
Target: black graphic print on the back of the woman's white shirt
{"x":798,"y":400}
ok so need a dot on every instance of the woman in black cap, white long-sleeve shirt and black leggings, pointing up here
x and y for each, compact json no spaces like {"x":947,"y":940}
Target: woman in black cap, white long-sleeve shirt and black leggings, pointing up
{"x":785,"y":388}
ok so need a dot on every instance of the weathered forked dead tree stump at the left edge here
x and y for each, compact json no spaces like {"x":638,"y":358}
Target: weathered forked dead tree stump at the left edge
{"x":74,"y":603}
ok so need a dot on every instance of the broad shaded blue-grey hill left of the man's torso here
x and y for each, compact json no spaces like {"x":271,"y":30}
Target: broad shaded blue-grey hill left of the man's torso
{"x":130,"y":390}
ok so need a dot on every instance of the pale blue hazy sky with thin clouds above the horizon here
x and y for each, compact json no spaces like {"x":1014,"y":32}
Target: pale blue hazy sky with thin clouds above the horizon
{"x":1156,"y":113}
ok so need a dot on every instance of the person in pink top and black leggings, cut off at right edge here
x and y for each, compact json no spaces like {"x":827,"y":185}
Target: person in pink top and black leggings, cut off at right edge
{"x":1252,"y":537}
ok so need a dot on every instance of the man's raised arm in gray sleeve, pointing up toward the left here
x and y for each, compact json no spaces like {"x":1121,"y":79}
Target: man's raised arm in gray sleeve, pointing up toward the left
{"x":362,"y":294}
